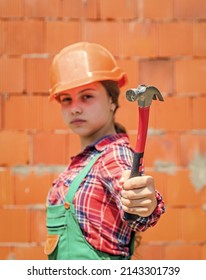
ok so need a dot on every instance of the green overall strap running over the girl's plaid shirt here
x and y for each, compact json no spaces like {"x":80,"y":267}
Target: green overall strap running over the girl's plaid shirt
{"x":79,"y":178}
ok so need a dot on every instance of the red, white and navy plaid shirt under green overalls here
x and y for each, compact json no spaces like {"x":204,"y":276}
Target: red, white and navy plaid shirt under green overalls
{"x":98,"y":199}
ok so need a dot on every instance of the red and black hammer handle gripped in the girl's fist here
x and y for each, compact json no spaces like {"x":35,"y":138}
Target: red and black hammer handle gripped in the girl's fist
{"x":137,"y":165}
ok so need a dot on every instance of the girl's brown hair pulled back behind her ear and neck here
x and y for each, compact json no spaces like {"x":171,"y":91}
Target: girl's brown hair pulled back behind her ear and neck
{"x":113,"y":91}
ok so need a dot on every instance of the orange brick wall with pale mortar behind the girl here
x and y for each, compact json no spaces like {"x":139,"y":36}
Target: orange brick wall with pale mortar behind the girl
{"x":161,"y":42}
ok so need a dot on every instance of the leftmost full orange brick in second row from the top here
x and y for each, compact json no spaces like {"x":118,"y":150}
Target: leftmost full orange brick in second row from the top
{"x":24,"y":37}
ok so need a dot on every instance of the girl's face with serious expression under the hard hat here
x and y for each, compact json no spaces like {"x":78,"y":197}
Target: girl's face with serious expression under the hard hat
{"x":88,"y":111}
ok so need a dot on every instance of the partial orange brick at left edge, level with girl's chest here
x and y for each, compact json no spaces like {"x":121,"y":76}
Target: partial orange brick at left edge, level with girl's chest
{"x":6,"y":188}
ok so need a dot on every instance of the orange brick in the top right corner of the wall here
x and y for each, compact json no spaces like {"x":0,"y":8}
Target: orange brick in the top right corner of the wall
{"x":185,"y":9}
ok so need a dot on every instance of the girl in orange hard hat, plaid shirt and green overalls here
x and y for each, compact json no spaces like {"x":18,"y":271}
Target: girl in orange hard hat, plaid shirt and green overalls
{"x":86,"y":203}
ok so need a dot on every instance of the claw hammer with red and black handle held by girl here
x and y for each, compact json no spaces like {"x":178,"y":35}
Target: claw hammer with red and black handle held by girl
{"x":144,"y":95}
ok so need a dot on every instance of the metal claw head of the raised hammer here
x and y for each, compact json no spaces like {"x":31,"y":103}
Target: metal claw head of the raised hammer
{"x":144,"y":95}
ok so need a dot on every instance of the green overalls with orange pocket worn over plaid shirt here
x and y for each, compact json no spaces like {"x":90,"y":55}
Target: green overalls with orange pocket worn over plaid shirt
{"x":65,"y":240}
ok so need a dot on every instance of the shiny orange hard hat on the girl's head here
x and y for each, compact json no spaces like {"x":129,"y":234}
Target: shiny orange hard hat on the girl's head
{"x":82,"y":63}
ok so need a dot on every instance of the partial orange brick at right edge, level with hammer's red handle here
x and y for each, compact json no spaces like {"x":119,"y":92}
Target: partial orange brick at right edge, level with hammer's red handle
{"x":199,"y":113}
